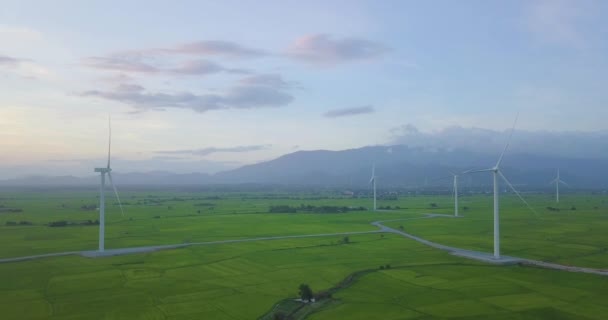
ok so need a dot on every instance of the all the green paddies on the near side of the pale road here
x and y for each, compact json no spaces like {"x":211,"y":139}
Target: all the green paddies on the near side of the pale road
{"x":243,"y":281}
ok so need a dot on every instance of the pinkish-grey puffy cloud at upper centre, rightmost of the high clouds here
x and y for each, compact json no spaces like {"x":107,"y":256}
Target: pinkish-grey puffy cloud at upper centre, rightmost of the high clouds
{"x":324,"y":50}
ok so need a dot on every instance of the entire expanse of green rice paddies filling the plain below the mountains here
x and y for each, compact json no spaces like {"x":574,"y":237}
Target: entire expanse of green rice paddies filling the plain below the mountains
{"x":247,"y":280}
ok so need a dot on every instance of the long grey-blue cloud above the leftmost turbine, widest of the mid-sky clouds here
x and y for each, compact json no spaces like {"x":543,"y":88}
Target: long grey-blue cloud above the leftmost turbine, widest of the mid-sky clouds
{"x":237,"y":97}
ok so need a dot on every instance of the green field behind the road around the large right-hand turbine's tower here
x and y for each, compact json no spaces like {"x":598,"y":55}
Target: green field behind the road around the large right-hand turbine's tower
{"x":571,"y":237}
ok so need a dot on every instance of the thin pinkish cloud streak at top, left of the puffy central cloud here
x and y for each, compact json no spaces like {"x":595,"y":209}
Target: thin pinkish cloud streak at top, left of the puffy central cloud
{"x":216,"y":48}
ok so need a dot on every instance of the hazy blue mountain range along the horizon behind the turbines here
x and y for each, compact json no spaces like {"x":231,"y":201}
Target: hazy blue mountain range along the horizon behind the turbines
{"x":396,"y":166}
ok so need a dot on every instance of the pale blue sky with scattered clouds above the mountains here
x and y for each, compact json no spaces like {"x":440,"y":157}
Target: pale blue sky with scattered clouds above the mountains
{"x":209,"y":85}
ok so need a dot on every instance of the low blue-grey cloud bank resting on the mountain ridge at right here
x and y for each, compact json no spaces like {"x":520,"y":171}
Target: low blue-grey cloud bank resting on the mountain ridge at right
{"x":571,"y":144}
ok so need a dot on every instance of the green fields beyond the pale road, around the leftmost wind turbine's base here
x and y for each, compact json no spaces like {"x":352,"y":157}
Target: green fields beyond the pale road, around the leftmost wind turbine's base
{"x":174,"y":220}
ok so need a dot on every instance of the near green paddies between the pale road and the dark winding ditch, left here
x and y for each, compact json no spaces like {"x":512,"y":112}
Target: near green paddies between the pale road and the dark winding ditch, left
{"x":236,"y":281}
